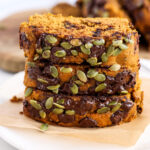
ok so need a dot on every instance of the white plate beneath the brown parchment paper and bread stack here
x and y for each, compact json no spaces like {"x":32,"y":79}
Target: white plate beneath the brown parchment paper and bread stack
{"x":24,"y":140}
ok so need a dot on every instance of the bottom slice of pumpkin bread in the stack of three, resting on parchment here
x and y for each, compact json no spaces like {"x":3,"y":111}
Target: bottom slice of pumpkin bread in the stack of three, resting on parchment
{"x":82,"y":111}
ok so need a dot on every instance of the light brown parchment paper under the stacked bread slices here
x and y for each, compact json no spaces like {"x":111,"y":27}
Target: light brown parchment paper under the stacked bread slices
{"x":126,"y":134}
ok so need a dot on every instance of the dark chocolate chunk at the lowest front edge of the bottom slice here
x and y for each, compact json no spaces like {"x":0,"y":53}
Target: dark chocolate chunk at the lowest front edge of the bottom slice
{"x":87,"y":123}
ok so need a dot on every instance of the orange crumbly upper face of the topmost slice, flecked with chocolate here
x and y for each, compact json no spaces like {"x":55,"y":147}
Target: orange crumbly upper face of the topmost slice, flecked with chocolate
{"x":79,"y":27}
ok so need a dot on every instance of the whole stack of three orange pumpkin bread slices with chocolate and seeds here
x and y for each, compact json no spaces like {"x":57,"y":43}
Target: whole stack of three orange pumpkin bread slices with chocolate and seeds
{"x":81,"y":72}
